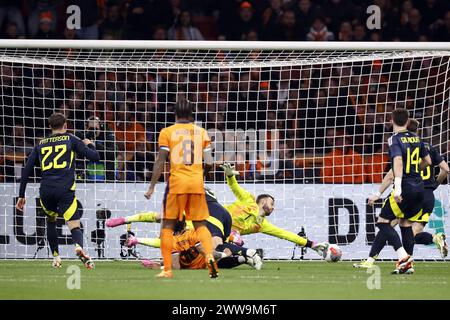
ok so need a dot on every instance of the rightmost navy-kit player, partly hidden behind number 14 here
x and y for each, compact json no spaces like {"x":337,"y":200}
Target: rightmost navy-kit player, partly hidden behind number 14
{"x":430,"y":184}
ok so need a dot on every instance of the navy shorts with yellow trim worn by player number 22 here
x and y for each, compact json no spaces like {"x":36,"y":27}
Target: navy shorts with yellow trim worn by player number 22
{"x":57,"y":202}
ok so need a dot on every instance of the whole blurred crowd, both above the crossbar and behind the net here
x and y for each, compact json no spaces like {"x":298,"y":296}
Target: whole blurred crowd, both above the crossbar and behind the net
{"x":332,"y":120}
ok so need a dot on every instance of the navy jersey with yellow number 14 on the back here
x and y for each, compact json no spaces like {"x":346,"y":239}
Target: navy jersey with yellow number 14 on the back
{"x":411,"y":148}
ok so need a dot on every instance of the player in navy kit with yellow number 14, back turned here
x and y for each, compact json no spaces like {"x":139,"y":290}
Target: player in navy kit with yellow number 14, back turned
{"x":408,"y":156}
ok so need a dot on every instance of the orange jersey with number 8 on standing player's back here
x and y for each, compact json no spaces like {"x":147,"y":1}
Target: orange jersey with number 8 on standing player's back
{"x":186,"y":143}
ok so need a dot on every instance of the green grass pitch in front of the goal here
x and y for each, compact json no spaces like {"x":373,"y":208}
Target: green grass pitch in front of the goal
{"x":277,"y":280}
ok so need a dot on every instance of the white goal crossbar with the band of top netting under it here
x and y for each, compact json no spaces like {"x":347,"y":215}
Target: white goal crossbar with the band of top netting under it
{"x":207,"y":54}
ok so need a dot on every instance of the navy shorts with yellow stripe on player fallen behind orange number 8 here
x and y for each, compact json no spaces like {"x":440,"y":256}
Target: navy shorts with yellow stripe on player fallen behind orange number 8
{"x":219,"y":221}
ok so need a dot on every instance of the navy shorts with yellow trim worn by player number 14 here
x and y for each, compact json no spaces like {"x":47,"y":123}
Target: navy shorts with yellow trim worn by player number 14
{"x":410,"y":208}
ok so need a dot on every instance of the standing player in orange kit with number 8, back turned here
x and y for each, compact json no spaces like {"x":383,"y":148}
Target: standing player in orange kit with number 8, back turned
{"x":187,"y":145}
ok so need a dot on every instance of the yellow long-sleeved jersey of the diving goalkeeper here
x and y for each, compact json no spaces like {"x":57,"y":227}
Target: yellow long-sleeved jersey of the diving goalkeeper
{"x":246,"y":219}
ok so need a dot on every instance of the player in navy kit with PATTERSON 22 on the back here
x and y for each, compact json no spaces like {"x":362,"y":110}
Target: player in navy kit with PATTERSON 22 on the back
{"x":56,"y":156}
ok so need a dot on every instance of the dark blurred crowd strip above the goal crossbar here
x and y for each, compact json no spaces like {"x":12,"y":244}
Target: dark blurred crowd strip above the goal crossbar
{"x":286,"y":20}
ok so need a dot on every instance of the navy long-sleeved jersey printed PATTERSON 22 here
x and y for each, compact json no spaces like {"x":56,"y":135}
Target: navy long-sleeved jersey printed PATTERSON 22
{"x":56,"y":157}
